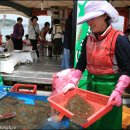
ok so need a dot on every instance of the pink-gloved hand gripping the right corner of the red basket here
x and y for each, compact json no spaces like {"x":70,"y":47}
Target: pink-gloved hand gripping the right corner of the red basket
{"x":115,"y":98}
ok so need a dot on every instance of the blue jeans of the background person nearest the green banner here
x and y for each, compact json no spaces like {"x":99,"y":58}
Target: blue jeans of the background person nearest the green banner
{"x":66,"y":59}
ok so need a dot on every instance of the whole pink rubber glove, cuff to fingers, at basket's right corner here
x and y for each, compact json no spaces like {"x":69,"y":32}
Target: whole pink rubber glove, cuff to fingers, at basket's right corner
{"x":115,"y":97}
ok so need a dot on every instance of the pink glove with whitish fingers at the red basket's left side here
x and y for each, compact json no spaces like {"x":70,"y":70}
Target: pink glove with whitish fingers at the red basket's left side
{"x":73,"y":81}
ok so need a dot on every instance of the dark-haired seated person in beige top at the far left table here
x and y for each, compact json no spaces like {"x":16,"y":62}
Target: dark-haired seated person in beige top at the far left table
{"x":9,"y":44}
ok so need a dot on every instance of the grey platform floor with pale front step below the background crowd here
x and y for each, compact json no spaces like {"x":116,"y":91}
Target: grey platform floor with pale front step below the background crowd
{"x":40,"y":71}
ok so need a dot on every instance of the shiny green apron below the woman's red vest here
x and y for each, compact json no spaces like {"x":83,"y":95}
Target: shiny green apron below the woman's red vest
{"x":105,"y":84}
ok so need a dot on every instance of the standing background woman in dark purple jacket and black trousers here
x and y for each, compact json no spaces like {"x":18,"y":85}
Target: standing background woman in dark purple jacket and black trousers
{"x":17,"y":35}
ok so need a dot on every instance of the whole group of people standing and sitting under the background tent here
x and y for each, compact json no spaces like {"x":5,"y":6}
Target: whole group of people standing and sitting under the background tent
{"x":60,"y":38}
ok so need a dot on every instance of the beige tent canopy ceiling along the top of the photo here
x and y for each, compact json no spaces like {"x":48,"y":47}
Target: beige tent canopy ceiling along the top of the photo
{"x":47,"y":4}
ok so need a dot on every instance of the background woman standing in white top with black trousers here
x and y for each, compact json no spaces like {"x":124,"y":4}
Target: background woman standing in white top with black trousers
{"x":33,"y":31}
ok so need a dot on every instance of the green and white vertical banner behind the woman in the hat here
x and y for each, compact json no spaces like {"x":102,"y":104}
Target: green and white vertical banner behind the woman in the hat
{"x":82,"y":31}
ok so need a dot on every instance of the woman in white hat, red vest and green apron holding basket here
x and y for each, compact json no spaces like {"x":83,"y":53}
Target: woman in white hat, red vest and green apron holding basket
{"x":106,"y":55}
